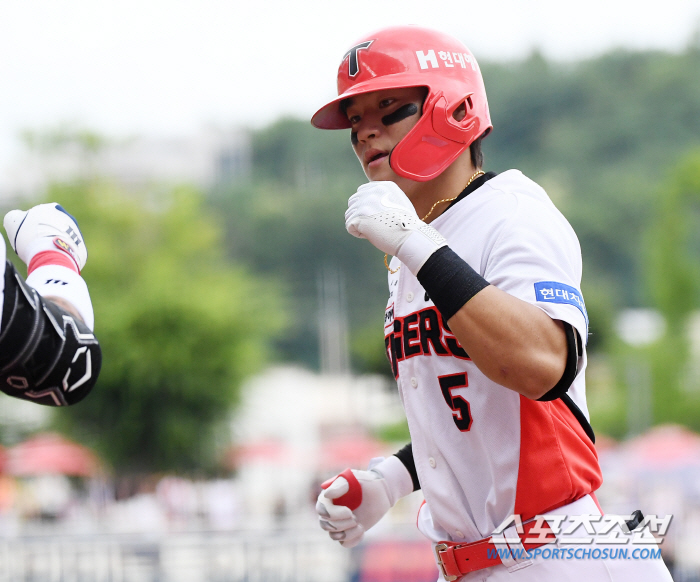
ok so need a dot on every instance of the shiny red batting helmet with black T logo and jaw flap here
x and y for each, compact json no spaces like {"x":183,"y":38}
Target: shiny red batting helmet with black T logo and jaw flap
{"x":411,"y":56}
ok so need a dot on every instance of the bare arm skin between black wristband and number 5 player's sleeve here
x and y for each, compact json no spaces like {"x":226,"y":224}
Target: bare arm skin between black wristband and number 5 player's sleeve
{"x":512,"y":342}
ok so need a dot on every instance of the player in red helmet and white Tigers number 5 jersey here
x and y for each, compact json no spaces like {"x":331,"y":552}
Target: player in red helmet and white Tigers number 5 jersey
{"x":485,"y":327}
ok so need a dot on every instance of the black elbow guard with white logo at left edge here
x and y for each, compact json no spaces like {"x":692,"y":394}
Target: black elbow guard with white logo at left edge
{"x":47,"y":355}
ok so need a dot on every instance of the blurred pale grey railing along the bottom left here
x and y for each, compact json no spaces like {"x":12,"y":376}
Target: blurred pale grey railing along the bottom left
{"x":182,"y":557}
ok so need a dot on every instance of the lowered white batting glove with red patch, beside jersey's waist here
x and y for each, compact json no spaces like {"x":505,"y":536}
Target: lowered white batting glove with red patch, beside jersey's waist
{"x":379,"y":490}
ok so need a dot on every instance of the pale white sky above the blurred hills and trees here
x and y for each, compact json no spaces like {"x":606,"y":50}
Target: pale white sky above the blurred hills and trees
{"x":169,"y":67}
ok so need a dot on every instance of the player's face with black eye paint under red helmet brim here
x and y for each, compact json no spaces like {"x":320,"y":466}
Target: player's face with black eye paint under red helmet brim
{"x":379,"y":121}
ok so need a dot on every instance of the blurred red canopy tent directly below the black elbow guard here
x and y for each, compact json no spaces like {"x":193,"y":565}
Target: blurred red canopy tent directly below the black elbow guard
{"x":51,"y":454}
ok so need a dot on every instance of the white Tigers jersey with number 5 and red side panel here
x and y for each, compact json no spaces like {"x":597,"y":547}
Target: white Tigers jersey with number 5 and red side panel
{"x":484,"y":452}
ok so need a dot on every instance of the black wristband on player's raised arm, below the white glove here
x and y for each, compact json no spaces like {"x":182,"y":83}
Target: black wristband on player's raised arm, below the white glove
{"x":449,"y":281}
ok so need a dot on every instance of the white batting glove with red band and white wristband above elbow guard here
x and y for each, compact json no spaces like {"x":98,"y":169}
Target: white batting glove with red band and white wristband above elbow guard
{"x":50,"y":243}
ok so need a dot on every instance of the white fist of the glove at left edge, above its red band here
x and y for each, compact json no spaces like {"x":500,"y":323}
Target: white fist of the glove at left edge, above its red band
{"x":47,"y":227}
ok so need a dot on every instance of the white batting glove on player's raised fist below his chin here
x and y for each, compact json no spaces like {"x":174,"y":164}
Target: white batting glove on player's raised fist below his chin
{"x":383,"y":214}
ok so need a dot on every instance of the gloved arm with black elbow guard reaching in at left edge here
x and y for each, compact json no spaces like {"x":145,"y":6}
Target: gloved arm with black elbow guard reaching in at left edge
{"x":48,"y":353}
